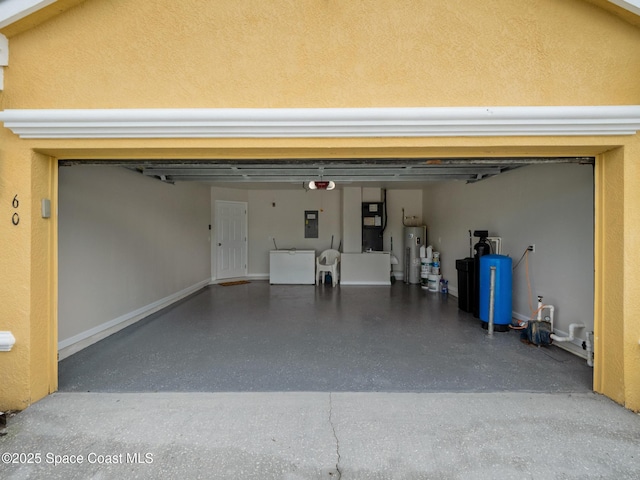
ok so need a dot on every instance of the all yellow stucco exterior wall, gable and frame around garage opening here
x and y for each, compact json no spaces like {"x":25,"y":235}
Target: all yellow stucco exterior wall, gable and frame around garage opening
{"x":316,"y":53}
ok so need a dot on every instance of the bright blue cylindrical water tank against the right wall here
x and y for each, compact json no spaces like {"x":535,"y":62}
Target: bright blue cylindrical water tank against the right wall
{"x":502,"y":307}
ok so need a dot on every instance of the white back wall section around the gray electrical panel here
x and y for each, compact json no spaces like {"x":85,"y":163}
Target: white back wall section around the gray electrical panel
{"x":279,"y":215}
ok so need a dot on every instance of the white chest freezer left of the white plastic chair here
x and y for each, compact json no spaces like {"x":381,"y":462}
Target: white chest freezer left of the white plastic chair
{"x":292,"y":267}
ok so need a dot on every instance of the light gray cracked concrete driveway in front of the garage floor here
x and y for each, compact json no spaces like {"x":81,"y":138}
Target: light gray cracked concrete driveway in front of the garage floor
{"x":323,"y":435}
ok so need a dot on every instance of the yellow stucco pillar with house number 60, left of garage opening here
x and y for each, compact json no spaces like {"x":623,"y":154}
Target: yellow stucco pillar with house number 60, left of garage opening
{"x":27,"y":291}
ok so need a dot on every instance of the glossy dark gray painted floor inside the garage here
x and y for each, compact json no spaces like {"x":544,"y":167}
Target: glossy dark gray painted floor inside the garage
{"x":261,"y":338}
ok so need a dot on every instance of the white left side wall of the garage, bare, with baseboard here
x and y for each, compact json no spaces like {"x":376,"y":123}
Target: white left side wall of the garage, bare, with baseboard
{"x":128,"y":246}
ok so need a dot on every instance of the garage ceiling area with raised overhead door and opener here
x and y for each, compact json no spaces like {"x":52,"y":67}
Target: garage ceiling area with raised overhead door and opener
{"x":293,"y":173}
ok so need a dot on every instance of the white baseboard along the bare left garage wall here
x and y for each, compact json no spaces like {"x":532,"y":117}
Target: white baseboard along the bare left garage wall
{"x":69,"y":346}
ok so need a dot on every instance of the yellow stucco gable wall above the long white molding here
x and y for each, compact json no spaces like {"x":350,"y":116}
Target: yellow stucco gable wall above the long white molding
{"x":325,"y":53}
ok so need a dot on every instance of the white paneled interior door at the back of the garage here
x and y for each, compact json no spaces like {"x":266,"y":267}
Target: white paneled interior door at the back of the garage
{"x":231,"y":239}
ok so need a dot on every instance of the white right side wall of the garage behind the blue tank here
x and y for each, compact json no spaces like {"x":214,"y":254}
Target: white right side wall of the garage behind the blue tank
{"x":551,"y":206}
